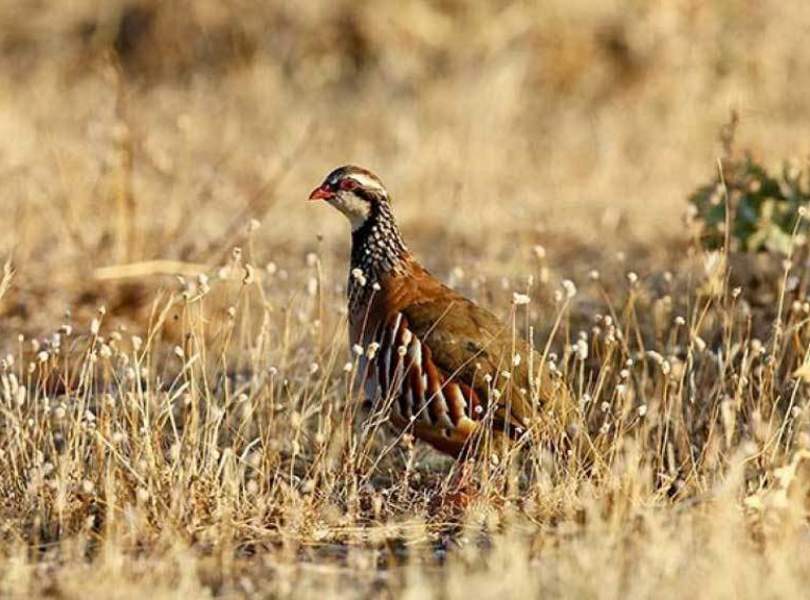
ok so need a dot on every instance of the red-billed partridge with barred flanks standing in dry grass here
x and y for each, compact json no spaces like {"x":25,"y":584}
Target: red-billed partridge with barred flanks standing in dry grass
{"x":443,"y":368}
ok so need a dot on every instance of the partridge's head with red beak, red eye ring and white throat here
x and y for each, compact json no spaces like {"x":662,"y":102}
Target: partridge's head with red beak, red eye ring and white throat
{"x":354,"y":191}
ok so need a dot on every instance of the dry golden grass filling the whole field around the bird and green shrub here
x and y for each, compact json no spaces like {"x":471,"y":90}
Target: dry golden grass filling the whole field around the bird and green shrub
{"x":177,"y":415}
